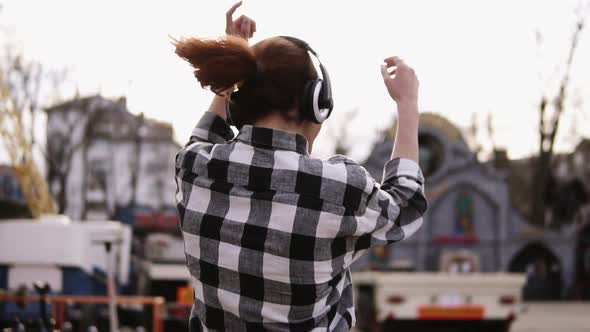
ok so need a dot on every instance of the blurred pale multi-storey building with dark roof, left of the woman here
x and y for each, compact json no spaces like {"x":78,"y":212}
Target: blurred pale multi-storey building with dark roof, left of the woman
{"x":107,"y":163}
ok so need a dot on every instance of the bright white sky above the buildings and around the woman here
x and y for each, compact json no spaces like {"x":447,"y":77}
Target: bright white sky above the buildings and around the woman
{"x":471,"y":56}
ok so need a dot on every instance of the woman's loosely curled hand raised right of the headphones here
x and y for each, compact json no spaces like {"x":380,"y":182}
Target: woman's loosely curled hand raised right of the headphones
{"x":403,"y":86}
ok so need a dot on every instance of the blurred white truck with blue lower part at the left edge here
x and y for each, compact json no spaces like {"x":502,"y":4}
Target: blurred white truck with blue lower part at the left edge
{"x":70,"y":257}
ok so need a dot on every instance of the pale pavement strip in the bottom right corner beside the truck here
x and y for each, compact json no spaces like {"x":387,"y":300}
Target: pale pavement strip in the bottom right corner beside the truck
{"x":558,"y":317}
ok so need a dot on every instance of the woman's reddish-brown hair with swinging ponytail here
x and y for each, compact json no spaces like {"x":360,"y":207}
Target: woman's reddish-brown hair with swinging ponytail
{"x":271,"y":74}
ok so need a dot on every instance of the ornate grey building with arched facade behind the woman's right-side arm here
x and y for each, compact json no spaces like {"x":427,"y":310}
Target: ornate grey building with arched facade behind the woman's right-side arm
{"x":474,"y":223}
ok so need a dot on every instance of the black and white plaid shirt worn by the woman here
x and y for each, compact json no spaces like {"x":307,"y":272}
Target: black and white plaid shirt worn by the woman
{"x":270,"y":232}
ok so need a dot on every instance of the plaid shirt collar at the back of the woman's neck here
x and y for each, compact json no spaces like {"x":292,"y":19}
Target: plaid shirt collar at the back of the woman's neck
{"x":273,"y":138}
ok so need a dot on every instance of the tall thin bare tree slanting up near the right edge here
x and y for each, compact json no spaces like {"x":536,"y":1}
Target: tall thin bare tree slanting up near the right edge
{"x":551,"y":109}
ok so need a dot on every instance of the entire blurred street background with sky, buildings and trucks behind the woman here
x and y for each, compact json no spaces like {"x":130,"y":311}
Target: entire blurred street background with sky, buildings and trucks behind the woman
{"x":94,"y":105}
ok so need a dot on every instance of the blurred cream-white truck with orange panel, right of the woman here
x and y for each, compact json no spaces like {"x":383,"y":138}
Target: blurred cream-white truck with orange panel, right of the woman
{"x":439,"y":301}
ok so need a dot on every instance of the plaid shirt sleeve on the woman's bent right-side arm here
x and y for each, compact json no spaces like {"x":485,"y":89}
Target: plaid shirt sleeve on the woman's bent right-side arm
{"x":395,"y":208}
